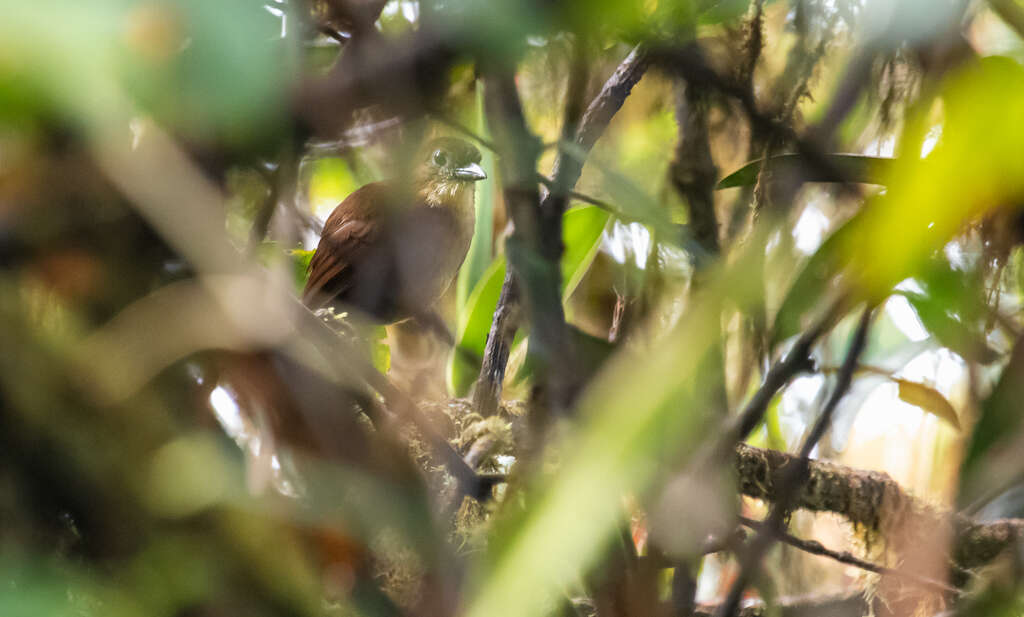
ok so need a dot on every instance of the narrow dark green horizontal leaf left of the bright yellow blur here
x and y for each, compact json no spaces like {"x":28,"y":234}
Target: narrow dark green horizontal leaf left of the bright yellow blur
{"x":850,"y":168}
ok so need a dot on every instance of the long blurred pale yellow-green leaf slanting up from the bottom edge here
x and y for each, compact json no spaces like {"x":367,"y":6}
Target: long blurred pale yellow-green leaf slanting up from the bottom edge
{"x":574,"y":514}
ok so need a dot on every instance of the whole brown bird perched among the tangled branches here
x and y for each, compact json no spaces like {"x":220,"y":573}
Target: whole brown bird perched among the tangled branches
{"x":393,"y":248}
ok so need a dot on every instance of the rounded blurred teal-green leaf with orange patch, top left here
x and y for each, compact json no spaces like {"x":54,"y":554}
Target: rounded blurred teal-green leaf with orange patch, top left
{"x":212,"y":70}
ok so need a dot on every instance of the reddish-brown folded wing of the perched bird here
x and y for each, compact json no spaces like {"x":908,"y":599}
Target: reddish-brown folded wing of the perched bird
{"x":350,"y":232}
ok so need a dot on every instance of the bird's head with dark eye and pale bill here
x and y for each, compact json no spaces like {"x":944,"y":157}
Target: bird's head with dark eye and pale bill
{"x":449,"y":167}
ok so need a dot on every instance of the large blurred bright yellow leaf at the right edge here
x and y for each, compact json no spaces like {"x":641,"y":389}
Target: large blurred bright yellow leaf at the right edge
{"x":974,"y":168}
